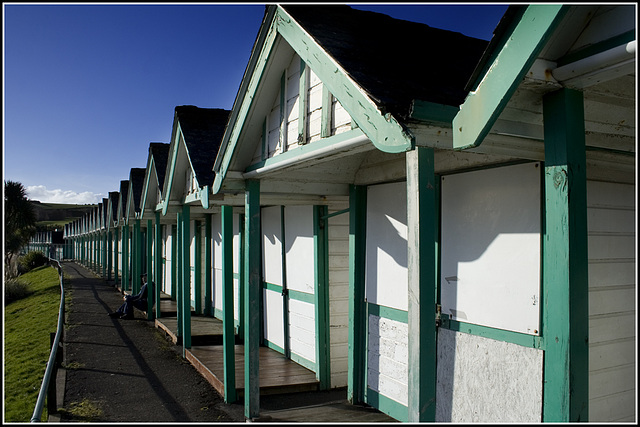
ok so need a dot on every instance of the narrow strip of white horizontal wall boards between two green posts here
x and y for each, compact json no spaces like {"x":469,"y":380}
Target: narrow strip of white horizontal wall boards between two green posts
{"x":338,"y":295}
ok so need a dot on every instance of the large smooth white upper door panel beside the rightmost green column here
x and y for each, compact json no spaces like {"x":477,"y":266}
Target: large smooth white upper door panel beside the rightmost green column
{"x":490,"y":246}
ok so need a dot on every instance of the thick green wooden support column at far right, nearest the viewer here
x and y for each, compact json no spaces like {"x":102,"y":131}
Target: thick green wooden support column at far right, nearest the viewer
{"x":565,"y":262}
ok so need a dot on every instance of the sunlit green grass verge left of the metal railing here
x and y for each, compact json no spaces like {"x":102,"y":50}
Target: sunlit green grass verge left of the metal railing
{"x":28,"y":323}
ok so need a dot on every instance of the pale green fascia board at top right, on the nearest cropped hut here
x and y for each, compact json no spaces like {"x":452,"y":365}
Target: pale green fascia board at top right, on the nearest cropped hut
{"x":483,"y":106}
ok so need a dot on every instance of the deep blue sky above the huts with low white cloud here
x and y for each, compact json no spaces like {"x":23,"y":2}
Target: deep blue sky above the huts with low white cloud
{"x":87,"y":87}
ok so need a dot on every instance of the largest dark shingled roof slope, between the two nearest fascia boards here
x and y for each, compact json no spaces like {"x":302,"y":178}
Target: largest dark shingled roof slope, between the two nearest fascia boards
{"x":393,"y":60}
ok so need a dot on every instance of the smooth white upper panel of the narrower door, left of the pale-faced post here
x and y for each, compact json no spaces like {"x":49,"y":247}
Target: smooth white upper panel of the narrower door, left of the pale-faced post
{"x":386,"y":251}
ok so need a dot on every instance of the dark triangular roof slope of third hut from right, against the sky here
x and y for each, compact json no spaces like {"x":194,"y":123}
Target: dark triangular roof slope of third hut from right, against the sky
{"x":202,"y":129}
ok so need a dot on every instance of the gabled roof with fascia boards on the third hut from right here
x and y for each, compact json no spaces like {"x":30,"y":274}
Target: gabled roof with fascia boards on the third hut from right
{"x":201,"y":129}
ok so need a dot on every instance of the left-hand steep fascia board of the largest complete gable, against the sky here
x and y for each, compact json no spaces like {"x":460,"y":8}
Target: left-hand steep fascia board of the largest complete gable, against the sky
{"x":241,"y":110}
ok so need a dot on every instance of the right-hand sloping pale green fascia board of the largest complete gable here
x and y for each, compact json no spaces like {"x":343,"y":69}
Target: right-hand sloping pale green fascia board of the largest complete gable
{"x":386,"y":133}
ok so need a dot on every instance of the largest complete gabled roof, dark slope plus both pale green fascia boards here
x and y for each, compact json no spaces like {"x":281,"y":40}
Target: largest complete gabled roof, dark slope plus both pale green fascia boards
{"x":378,"y":68}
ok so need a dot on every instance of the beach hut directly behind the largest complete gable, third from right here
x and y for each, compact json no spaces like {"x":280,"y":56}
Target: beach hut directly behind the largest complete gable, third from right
{"x":196,"y":135}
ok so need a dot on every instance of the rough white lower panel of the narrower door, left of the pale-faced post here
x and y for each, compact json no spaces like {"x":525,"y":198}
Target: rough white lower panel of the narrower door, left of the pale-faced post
{"x":387,"y":358}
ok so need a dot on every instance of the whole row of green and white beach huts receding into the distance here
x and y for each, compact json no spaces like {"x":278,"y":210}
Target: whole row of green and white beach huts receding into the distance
{"x":443,"y":226}
